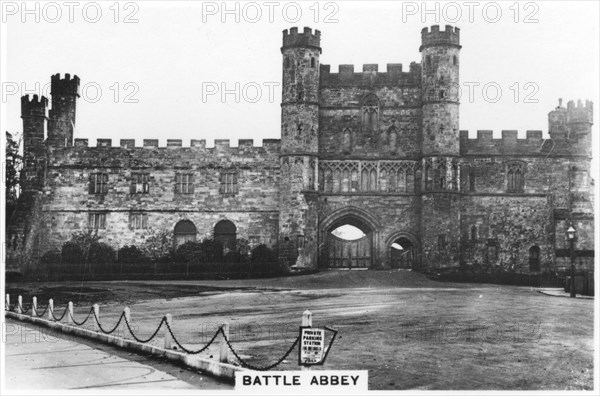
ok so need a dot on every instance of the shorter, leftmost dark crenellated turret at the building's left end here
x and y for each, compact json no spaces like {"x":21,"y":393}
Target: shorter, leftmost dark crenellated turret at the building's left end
{"x":33,"y":113}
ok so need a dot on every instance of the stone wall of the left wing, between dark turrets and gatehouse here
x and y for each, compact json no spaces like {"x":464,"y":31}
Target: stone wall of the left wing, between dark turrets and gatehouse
{"x":252,"y":206}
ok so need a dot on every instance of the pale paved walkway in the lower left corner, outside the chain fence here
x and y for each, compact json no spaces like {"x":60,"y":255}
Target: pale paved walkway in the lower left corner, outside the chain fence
{"x":40,"y":358}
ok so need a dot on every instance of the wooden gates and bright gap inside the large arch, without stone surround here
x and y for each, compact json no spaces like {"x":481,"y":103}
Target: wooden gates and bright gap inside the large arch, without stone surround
{"x":349,"y":244}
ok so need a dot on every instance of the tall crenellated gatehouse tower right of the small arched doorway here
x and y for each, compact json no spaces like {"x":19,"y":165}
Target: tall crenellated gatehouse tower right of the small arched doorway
{"x":441,"y":144}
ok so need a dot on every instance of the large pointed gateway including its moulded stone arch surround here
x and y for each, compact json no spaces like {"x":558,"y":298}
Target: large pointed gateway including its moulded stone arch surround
{"x":348,"y":239}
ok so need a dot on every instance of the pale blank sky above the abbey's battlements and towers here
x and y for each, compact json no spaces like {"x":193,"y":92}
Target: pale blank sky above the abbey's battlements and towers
{"x":149,"y":70}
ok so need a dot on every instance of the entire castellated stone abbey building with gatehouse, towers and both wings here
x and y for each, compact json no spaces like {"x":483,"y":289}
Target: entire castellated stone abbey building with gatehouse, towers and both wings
{"x":378,"y":151}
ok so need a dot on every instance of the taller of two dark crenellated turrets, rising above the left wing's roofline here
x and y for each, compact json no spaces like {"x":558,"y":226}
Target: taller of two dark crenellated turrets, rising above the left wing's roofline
{"x":62,"y":115}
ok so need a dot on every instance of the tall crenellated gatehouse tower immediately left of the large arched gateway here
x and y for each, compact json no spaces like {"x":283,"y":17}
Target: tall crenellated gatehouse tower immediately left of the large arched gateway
{"x":299,"y":147}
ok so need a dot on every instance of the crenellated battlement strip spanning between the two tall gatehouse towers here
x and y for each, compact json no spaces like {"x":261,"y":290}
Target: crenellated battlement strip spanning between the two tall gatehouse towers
{"x":370,"y":75}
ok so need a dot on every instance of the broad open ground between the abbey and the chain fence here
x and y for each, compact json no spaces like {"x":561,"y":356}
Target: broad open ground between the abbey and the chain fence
{"x":408,"y":331}
